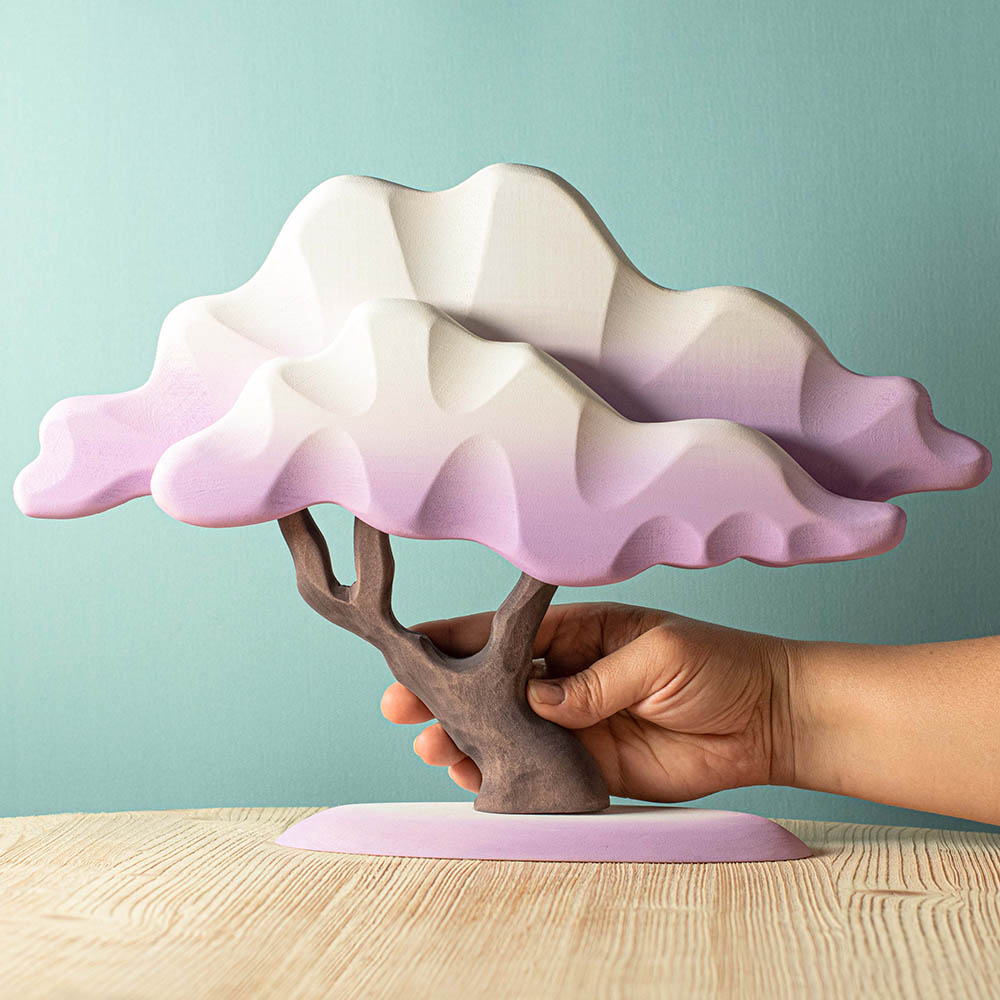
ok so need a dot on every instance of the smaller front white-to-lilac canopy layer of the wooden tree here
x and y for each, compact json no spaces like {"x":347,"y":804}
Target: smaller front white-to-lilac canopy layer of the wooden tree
{"x":424,"y":430}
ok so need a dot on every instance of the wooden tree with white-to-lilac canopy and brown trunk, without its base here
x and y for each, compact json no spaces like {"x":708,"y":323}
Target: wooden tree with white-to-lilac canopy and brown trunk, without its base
{"x":485,"y":363}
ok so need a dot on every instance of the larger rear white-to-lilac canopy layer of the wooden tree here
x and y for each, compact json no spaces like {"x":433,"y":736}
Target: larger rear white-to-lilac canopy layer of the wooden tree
{"x":513,"y":253}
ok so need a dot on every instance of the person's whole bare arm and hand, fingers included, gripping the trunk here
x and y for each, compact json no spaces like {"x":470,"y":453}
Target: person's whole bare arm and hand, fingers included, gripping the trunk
{"x":673,"y":709}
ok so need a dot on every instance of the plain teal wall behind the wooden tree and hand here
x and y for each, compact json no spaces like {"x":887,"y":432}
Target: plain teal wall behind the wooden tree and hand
{"x":840,"y":156}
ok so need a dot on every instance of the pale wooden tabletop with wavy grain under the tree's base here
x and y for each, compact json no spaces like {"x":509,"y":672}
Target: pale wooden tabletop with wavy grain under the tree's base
{"x":201,"y":904}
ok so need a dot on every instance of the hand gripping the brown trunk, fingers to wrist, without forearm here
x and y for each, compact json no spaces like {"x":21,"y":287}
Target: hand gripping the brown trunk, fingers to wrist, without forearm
{"x":671,"y":708}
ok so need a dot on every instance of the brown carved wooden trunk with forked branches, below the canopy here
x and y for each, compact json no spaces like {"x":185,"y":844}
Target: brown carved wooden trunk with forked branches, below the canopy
{"x":529,"y":765}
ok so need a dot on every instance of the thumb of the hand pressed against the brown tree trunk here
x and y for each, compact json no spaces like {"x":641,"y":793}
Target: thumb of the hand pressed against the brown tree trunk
{"x":616,"y":681}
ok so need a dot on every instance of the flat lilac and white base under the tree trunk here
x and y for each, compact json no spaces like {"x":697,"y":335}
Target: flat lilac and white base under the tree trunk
{"x":620,"y":833}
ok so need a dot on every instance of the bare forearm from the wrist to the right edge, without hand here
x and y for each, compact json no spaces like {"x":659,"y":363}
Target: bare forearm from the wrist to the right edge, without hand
{"x":915,"y":726}
